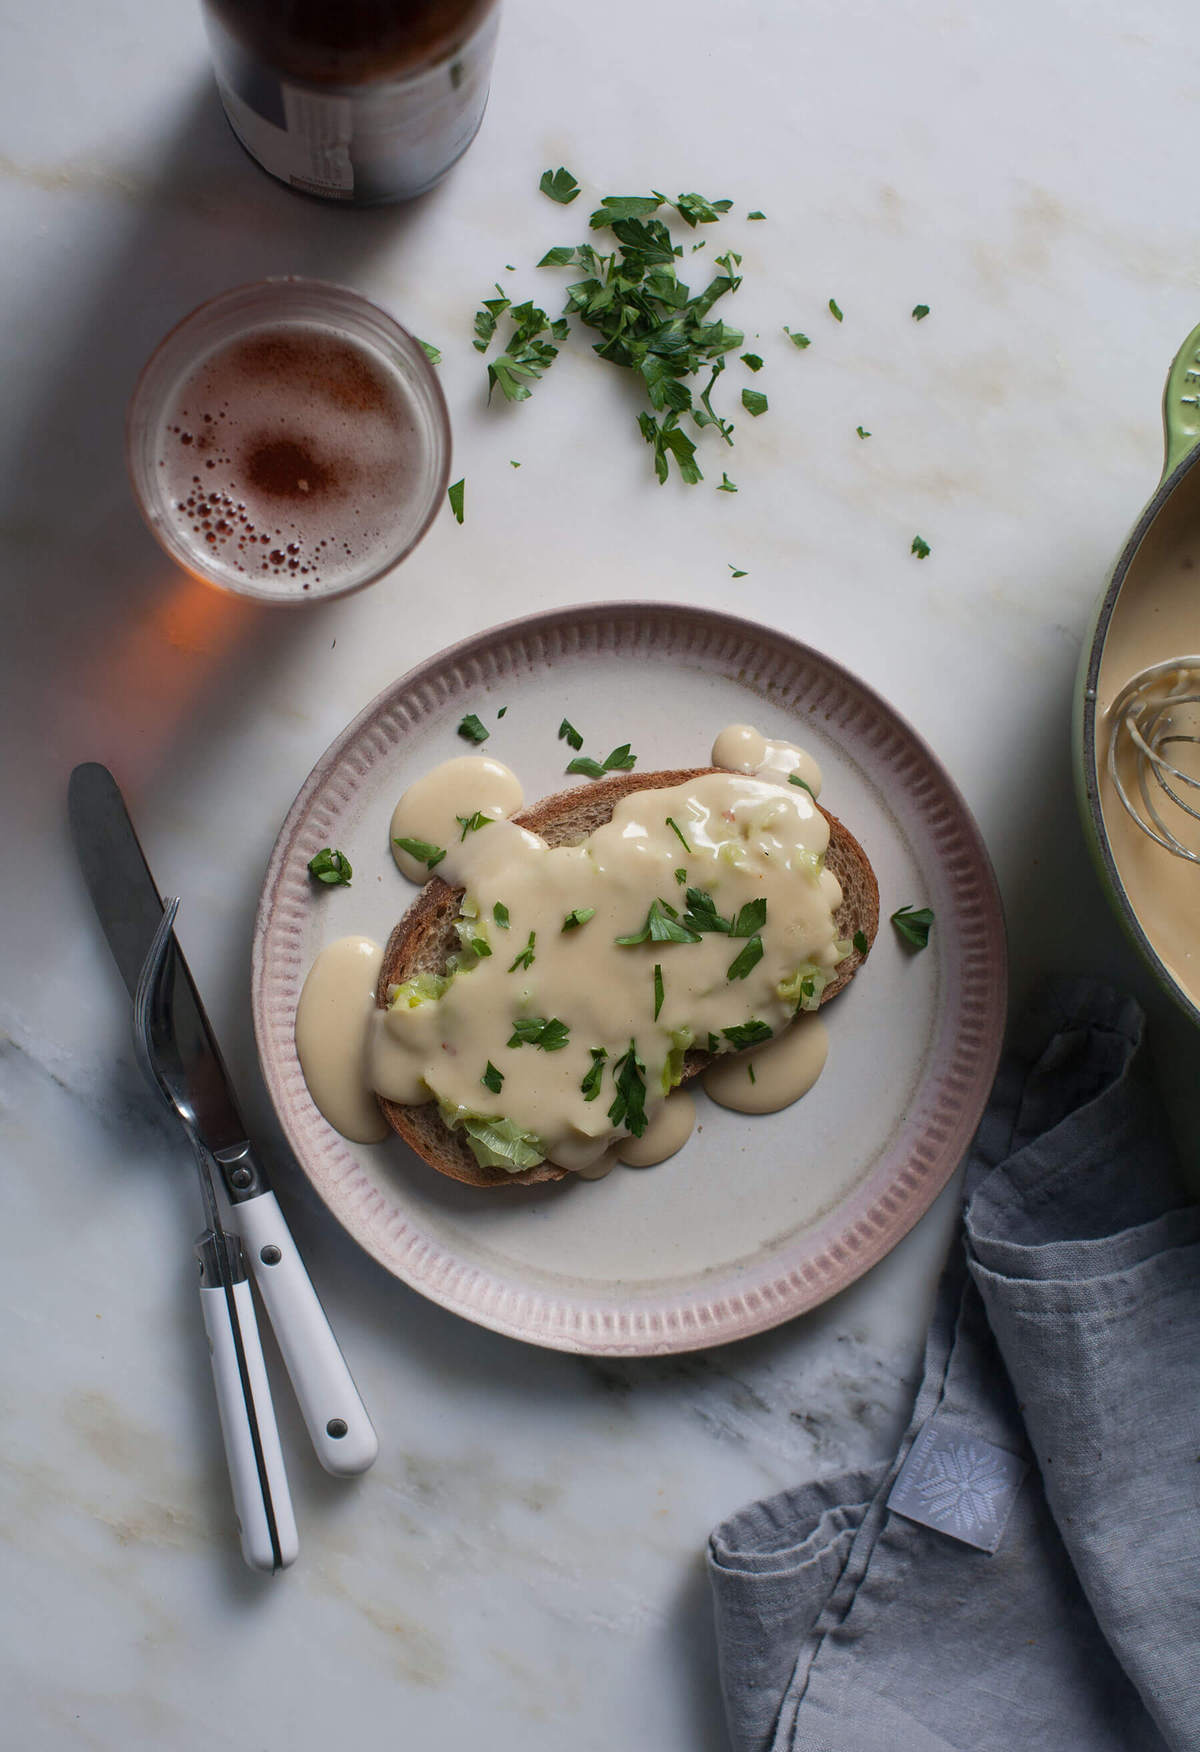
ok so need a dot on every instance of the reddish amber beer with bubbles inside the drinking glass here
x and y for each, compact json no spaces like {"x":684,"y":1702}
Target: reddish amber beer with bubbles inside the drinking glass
{"x":290,"y":458}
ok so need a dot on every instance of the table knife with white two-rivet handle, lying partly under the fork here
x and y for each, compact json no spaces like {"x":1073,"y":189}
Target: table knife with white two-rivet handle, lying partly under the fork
{"x":131,"y":910}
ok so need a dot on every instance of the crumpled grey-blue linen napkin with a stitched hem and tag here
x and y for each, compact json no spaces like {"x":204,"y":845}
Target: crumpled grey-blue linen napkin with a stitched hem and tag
{"x":1048,"y":1592}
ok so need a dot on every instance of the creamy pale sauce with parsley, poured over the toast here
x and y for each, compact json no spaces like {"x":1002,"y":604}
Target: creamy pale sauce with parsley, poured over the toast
{"x":700,"y":917}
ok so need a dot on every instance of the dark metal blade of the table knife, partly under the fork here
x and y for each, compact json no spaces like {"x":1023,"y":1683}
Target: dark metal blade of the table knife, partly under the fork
{"x":131,"y":908}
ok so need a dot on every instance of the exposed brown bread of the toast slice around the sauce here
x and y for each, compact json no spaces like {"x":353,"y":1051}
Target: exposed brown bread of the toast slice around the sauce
{"x":427,"y":938}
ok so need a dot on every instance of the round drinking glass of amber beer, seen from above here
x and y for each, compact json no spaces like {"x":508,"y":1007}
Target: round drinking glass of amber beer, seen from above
{"x":288,"y":442}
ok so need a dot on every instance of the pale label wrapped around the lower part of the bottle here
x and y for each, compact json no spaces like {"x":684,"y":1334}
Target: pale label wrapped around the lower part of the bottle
{"x":376,"y":143}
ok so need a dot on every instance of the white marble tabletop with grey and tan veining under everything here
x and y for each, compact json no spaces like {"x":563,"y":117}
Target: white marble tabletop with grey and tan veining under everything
{"x":525,"y":1562}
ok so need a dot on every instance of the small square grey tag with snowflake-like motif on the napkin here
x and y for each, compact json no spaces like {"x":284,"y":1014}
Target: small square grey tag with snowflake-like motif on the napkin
{"x":959,"y":1485}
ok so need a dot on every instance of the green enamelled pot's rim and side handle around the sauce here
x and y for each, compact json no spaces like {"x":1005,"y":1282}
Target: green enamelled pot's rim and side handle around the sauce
{"x":1182,"y":428}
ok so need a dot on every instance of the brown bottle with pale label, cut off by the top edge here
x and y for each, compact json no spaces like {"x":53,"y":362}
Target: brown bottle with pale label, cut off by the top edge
{"x":355,"y":101}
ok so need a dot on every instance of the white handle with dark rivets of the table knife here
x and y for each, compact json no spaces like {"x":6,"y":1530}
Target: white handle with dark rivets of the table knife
{"x":337,"y":1420}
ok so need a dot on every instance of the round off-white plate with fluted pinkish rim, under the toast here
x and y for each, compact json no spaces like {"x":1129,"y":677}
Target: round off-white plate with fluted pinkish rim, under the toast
{"x":758,"y":1219}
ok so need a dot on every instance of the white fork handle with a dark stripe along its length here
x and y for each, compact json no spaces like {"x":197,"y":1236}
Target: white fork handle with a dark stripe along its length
{"x":236,"y":1427}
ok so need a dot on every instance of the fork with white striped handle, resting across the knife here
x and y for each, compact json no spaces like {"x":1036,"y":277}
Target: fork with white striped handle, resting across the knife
{"x":253,"y":1450}
